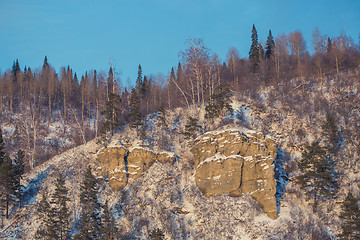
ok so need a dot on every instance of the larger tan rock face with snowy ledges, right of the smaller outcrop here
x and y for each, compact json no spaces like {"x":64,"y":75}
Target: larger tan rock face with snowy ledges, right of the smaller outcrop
{"x":234,"y":162}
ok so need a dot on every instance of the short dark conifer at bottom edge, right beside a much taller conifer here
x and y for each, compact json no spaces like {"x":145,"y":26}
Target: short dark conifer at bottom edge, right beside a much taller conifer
{"x":109,"y":230}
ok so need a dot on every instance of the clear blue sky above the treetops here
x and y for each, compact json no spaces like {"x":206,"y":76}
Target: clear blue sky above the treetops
{"x":92,"y":34}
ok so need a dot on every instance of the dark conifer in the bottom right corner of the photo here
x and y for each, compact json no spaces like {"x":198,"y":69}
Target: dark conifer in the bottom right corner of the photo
{"x":350,"y":216}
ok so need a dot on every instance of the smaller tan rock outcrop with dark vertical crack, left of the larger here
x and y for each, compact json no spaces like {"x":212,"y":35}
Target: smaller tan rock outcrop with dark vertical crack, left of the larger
{"x":117,"y":164}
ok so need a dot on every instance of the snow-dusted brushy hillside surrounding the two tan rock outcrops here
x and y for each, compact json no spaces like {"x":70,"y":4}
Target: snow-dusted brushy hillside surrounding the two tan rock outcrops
{"x":166,"y":196}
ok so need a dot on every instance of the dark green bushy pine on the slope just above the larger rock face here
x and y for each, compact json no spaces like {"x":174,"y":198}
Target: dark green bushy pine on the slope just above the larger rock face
{"x":219,"y":104}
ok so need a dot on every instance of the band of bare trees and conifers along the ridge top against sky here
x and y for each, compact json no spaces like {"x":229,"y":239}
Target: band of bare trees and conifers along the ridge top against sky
{"x":97,"y":103}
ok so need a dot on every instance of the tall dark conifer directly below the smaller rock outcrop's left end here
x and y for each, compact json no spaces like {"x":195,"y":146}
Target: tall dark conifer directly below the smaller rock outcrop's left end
{"x":89,"y":226}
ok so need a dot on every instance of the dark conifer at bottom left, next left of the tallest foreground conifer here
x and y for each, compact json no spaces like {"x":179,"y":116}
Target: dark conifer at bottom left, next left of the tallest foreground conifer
{"x":61,"y":211}
